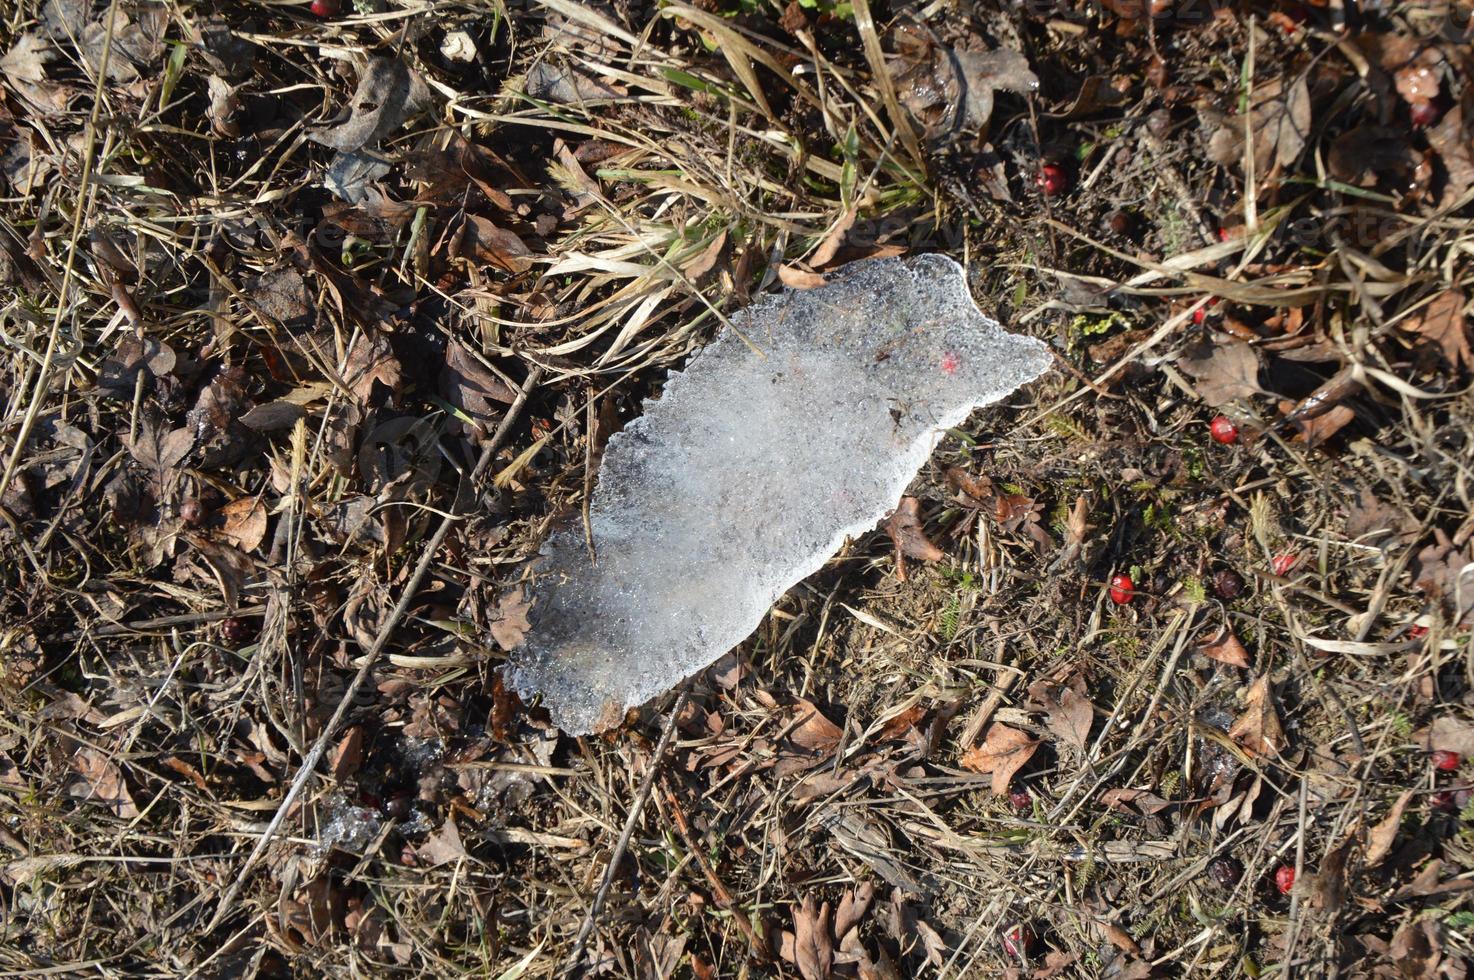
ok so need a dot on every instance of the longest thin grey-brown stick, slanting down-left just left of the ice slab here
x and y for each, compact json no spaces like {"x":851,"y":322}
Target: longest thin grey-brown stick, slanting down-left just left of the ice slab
{"x":372,"y":658}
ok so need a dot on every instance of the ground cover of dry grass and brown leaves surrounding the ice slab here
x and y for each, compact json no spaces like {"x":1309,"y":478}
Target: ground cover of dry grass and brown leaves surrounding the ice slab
{"x":188,"y":599}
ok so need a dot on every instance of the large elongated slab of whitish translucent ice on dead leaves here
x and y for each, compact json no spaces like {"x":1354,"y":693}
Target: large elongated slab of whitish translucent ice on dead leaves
{"x":751,"y":472}
